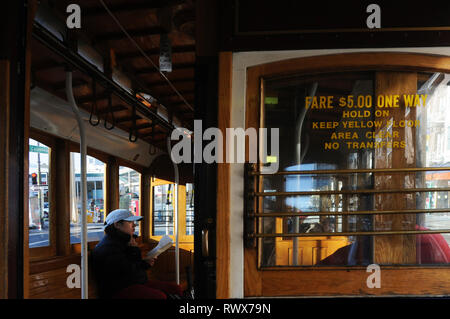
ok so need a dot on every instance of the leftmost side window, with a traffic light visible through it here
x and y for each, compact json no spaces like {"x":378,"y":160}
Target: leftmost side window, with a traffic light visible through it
{"x":39,"y":203}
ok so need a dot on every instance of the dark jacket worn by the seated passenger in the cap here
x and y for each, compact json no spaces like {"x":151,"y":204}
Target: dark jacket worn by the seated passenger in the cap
{"x":116,"y":265}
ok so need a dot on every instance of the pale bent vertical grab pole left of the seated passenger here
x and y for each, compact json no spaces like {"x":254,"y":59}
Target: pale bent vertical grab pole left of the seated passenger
{"x":83,"y":186}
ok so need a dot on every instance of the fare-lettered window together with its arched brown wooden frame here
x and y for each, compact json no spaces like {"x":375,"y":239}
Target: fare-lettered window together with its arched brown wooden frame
{"x":375,"y":204}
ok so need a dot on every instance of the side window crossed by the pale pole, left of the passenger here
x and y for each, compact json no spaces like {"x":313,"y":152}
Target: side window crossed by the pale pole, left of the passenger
{"x":95,"y":205}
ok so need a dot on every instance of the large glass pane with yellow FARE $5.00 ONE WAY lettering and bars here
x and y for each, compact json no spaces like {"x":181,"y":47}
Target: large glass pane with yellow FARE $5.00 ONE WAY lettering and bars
{"x":360,"y":140}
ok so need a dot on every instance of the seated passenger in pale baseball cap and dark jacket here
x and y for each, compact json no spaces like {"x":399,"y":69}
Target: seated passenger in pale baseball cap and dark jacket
{"x":119,"y":269}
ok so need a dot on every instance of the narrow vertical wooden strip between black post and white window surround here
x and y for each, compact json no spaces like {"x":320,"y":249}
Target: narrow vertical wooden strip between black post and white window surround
{"x":223,"y":180}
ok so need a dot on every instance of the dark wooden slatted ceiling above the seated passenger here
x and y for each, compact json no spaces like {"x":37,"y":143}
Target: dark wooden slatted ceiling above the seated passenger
{"x":145,"y":21}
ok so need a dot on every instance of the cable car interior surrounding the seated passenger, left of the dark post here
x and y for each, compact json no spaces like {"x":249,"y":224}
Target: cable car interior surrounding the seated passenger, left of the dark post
{"x":131,"y":68}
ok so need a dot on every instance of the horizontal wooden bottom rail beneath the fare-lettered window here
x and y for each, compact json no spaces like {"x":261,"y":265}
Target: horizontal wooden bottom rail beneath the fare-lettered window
{"x":400,"y":281}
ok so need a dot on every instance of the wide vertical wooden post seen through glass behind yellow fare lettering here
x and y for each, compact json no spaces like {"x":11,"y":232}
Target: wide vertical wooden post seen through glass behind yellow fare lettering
{"x":395,"y":249}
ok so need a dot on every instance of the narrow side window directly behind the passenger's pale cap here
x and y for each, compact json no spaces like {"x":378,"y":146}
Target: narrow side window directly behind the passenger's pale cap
{"x":129,"y":191}
